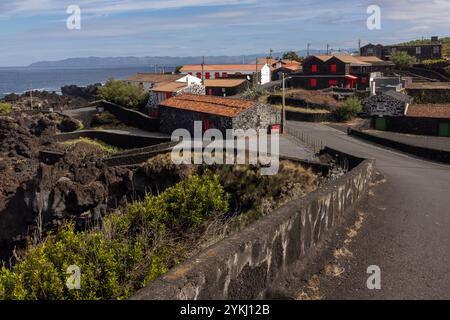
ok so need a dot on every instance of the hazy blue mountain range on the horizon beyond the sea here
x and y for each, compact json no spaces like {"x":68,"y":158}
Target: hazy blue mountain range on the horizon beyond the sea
{"x":111,"y":62}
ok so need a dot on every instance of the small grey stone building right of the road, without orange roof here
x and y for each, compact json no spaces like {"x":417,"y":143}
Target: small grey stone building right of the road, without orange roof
{"x":387,"y":104}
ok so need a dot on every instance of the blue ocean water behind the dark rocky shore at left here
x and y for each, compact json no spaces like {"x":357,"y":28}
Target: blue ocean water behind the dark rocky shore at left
{"x":20,"y":80}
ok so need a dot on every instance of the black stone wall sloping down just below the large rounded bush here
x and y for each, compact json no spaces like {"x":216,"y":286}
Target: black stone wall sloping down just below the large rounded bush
{"x":130,"y":117}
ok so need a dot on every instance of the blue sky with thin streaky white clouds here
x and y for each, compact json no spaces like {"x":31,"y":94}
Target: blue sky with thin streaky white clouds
{"x":36,"y":30}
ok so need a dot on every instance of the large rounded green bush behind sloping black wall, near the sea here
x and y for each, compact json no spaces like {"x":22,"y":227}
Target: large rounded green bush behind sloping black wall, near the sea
{"x":124,"y":94}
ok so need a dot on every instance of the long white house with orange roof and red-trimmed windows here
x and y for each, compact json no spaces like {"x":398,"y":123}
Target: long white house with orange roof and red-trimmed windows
{"x":236,"y":71}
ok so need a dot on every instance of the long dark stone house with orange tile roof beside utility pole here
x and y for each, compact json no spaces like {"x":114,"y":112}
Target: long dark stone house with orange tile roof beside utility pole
{"x":215,"y":113}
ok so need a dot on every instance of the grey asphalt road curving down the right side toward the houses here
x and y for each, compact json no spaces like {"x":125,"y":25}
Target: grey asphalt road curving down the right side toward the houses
{"x":406,"y":229}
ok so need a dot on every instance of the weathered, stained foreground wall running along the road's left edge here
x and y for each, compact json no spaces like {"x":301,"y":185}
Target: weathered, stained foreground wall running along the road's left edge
{"x":245,"y":265}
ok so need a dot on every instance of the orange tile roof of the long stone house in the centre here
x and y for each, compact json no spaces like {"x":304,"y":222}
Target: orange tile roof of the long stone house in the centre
{"x":208,"y":104}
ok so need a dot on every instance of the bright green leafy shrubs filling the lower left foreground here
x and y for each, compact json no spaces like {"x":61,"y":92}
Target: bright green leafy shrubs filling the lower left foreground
{"x":124,"y":254}
